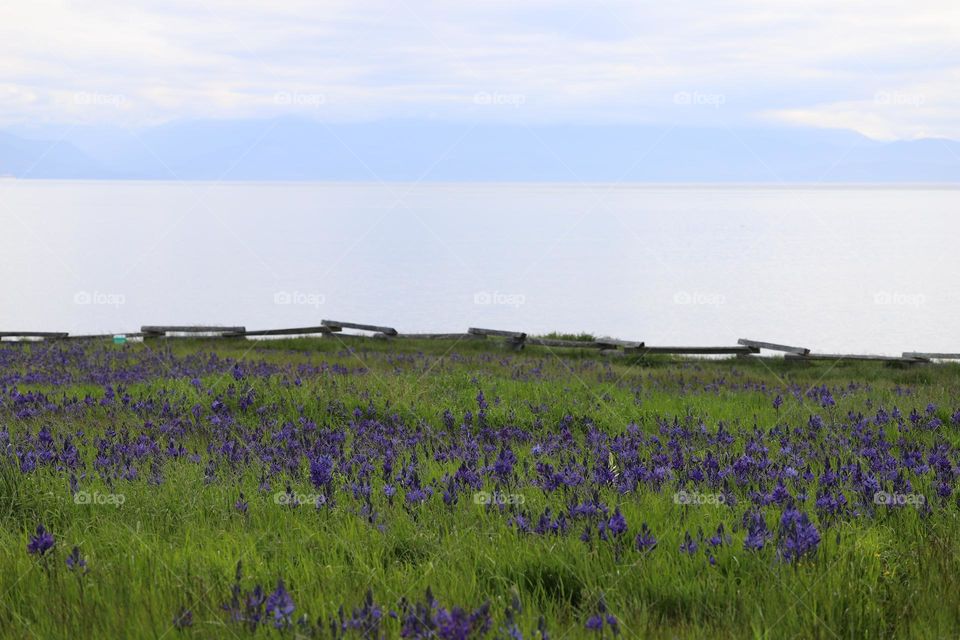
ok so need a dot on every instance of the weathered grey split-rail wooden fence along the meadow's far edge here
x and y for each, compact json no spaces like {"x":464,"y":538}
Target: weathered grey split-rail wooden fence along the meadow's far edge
{"x":515,"y":340}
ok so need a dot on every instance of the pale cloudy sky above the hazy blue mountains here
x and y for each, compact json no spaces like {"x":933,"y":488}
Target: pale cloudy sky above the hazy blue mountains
{"x":889,"y":70}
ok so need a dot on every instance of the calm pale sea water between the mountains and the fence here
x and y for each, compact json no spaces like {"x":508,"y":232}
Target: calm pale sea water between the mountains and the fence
{"x":834,"y":269}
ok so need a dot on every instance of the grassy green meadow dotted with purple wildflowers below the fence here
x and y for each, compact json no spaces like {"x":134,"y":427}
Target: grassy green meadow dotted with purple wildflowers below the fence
{"x":327,"y":488}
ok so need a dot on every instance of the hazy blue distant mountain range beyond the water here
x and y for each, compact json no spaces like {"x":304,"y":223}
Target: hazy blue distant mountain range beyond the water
{"x":296,"y":149}
